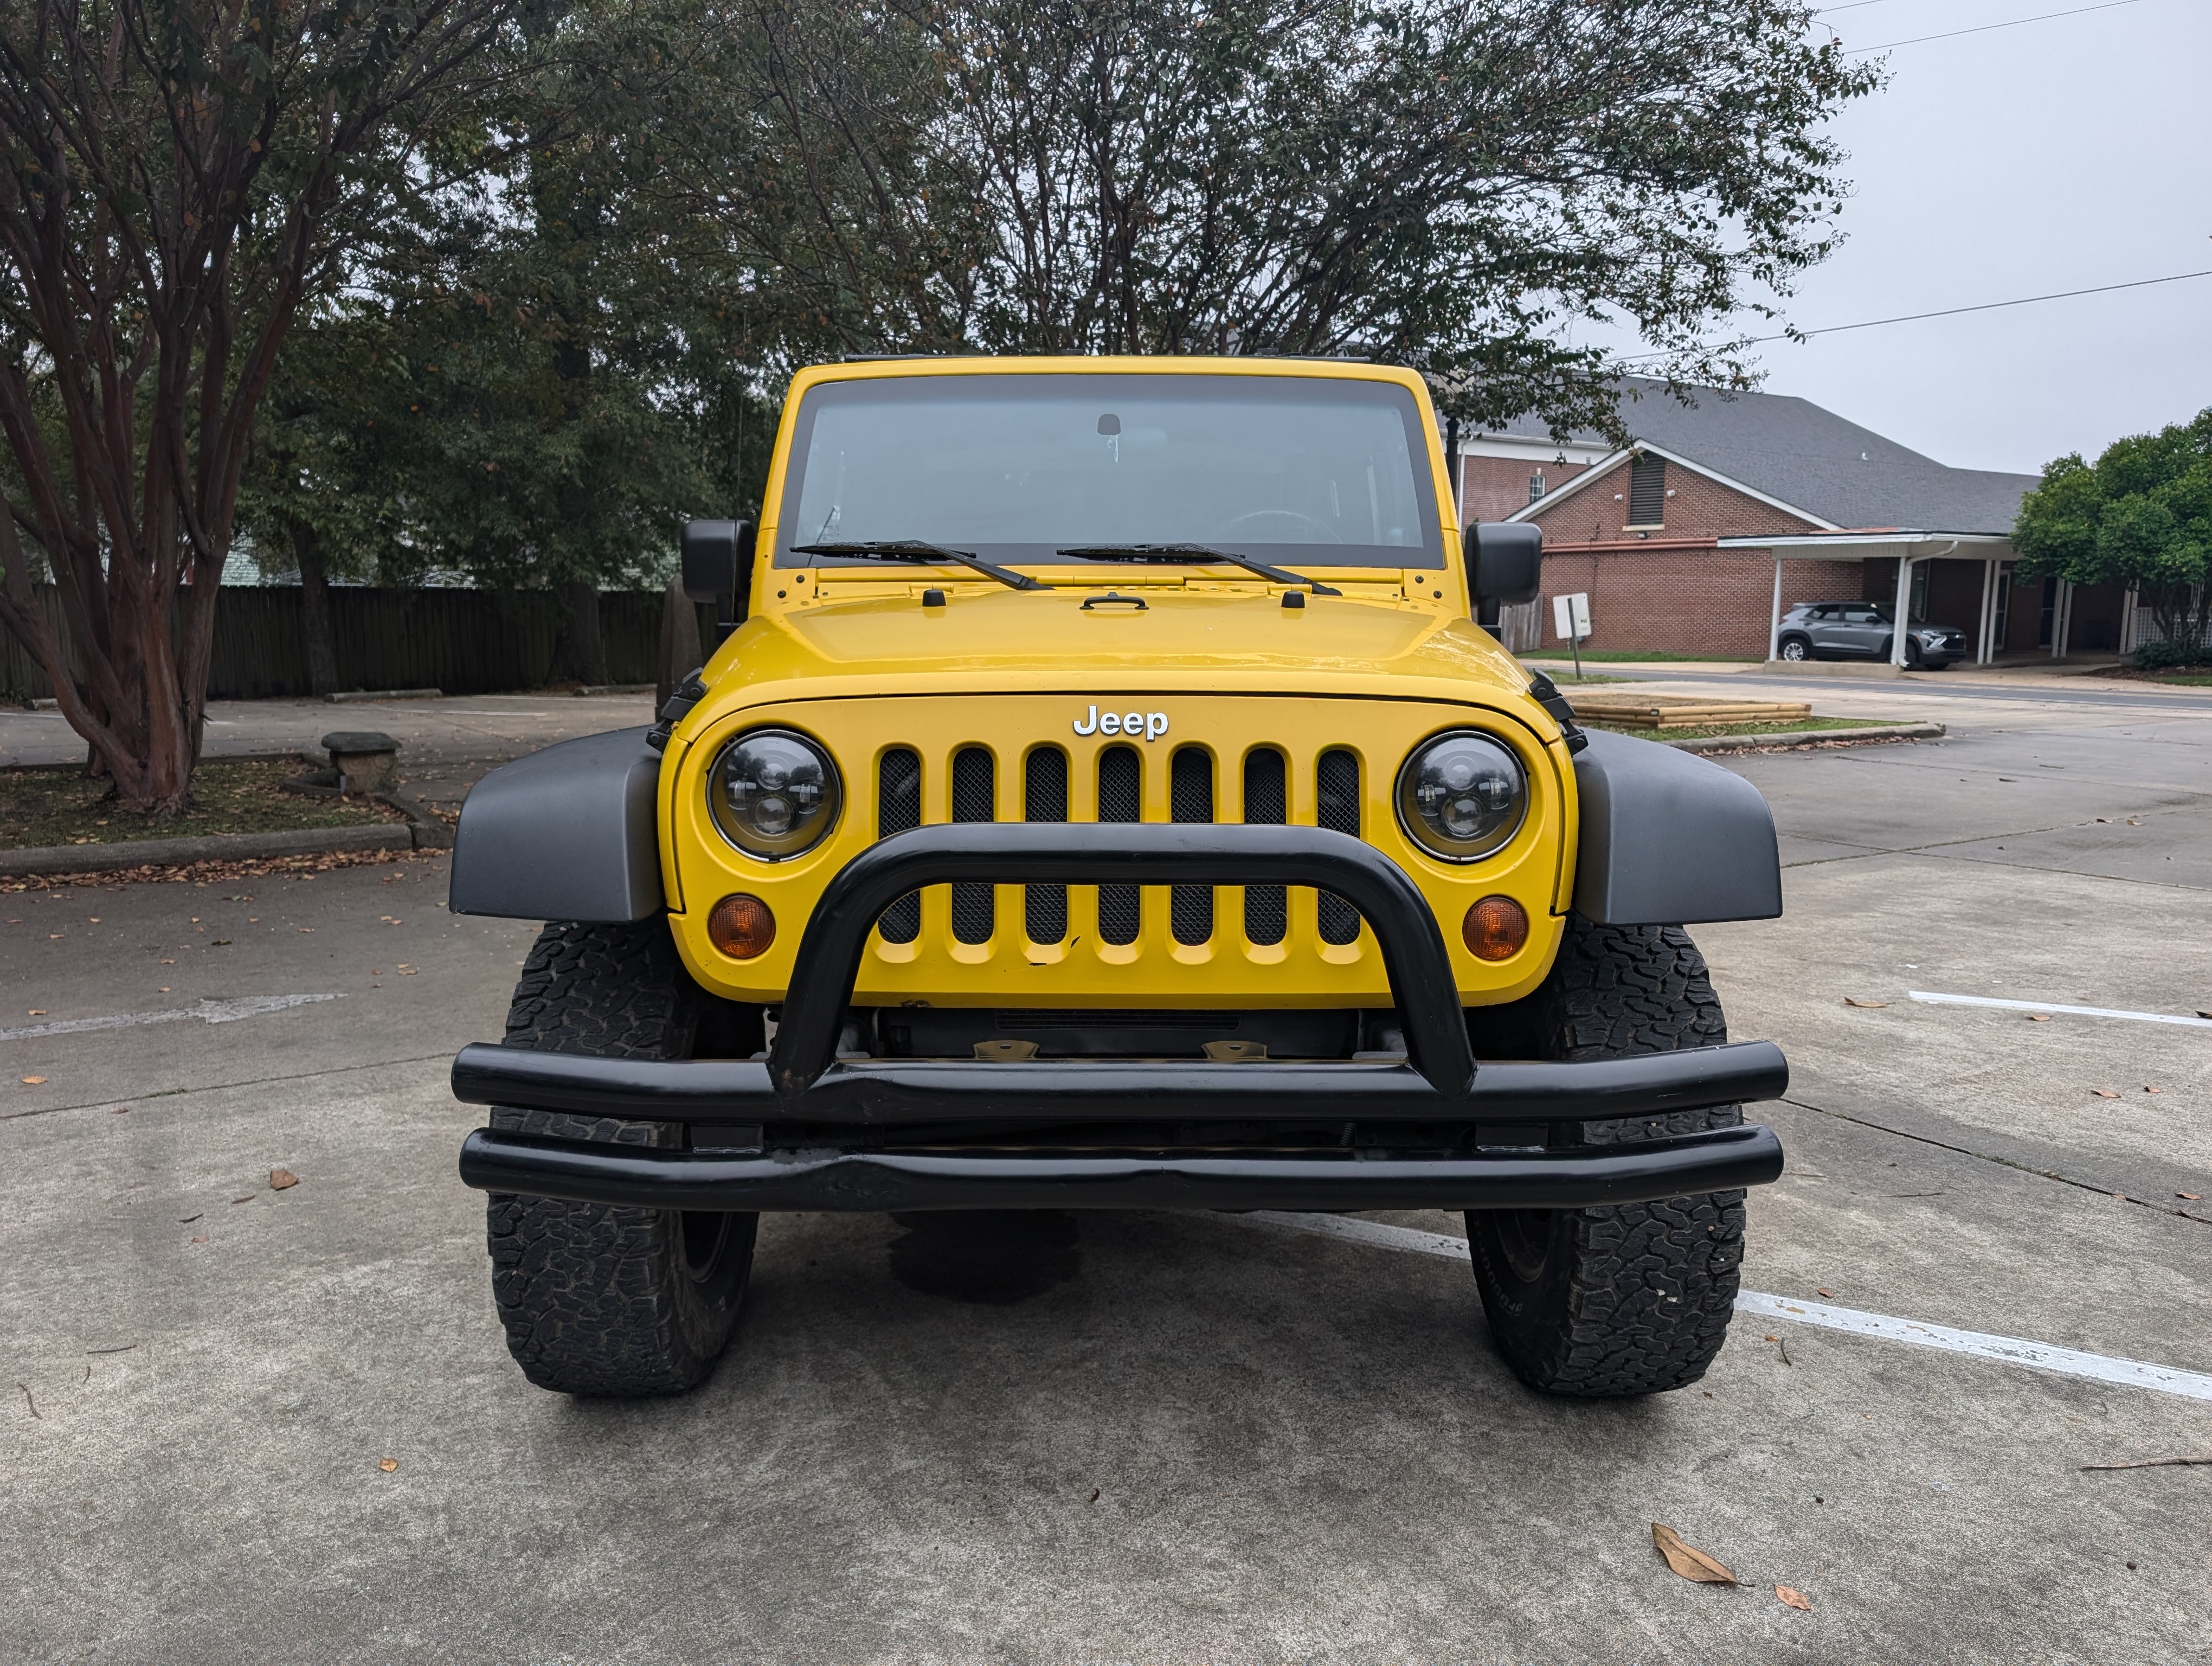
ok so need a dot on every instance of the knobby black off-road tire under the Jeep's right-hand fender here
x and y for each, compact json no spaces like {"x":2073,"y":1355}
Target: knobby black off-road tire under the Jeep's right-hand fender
{"x":1631,"y":1298}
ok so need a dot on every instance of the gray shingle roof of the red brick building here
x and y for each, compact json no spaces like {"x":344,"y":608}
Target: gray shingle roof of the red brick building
{"x":1813,"y":459}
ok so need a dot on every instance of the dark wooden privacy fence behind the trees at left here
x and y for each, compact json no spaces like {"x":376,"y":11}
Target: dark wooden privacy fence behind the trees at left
{"x":466,"y":643}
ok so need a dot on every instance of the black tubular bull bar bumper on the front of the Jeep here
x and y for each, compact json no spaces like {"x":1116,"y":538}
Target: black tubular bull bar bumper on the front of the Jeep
{"x":804,"y":1090}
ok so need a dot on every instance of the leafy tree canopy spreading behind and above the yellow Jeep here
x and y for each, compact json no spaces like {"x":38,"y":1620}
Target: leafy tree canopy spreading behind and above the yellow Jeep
{"x":693,"y":198}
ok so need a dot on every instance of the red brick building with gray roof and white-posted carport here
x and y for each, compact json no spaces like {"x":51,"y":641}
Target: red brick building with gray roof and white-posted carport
{"x":1726,"y":512}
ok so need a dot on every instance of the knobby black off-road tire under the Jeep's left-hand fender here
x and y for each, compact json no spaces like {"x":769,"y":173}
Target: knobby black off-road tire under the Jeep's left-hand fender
{"x":598,"y":1300}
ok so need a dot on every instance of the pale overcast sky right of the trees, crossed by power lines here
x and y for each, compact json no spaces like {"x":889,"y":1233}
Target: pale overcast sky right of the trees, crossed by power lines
{"x":2054,"y":156}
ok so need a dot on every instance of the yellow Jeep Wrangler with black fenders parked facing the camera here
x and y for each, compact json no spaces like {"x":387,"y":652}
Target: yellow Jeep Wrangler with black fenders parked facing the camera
{"x":1107,"y":795}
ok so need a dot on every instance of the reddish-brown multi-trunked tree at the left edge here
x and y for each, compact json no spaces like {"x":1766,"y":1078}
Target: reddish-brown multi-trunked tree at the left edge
{"x":178,"y":178}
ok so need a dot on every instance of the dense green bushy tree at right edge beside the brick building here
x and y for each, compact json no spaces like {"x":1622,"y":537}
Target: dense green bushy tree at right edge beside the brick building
{"x":2138,"y":517}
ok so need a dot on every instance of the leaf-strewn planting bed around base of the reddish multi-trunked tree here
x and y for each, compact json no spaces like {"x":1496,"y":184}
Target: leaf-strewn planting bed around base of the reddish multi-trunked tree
{"x":59,"y":806}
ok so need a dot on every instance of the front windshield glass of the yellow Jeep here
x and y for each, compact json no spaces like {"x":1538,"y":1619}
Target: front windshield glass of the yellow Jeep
{"x":1295,"y":470}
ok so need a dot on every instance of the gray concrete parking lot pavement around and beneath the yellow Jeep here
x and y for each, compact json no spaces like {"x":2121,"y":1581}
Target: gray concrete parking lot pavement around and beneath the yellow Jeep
{"x":1138,"y":1437}
